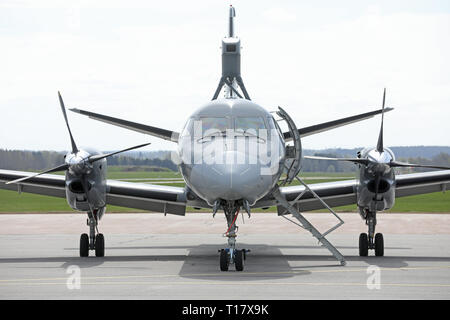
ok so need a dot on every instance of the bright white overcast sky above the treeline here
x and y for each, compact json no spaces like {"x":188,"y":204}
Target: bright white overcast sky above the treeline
{"x":156,"y":62}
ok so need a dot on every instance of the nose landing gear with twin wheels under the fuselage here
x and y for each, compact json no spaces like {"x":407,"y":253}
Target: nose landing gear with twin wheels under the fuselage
{"x":231,"y":255}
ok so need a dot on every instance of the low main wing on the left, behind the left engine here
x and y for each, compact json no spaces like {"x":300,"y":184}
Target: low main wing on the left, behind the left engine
{"x":143,"y":196}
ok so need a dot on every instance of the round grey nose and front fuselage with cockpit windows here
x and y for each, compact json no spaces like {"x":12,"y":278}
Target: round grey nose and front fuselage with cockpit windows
{"x":231,"y":149}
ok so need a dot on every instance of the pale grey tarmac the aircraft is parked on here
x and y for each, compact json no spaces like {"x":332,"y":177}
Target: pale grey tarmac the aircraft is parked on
{"x":149,"y":256}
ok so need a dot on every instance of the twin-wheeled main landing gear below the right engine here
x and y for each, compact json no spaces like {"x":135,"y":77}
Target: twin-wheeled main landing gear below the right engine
{"x":371,"y":240}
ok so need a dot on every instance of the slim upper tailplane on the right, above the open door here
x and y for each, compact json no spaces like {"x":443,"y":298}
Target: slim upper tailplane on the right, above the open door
{"x":325,"y":126}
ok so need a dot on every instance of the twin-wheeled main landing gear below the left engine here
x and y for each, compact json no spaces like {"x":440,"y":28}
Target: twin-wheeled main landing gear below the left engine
{"x":93,"y":241}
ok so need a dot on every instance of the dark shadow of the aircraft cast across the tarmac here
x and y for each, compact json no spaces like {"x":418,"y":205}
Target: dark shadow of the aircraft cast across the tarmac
{"x":202,"y":261}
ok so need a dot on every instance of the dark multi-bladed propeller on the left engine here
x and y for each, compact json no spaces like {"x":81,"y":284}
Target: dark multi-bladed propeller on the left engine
{"x":77,"y":164}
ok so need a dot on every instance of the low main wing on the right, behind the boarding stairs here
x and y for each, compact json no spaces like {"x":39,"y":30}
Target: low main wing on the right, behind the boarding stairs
{"x":342,"y":193}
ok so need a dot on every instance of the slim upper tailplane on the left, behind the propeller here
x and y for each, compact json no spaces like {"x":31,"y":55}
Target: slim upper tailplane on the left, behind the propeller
{"x":142,"y":128}
